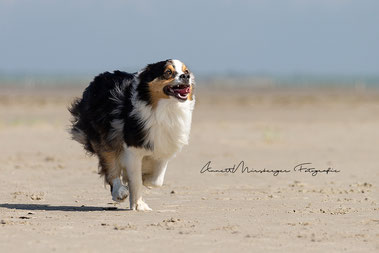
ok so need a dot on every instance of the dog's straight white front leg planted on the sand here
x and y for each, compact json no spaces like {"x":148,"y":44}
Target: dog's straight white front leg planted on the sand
{"x":133,"y":162}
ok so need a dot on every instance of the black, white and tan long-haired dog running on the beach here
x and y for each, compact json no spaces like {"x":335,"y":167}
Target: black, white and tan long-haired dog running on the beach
{"x":135,"y":123}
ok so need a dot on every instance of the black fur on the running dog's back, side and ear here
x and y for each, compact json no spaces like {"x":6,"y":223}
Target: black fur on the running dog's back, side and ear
{"x":94,"y":112}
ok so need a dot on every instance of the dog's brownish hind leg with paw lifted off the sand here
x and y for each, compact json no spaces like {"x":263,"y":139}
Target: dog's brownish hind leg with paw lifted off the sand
{"x":111,"y":170}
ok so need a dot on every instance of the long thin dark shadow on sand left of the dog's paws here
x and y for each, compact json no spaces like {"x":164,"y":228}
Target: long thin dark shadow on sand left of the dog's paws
{"x":60,"y":208}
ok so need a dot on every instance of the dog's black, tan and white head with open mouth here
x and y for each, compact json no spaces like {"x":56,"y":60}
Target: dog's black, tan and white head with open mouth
{"x":164,"y":80}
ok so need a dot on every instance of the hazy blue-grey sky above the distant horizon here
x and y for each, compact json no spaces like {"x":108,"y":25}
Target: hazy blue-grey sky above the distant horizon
{"x":211,"y":37}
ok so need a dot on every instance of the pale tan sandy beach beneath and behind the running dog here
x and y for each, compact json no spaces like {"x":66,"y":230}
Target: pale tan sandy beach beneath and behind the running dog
{"x":52,"y":199}
